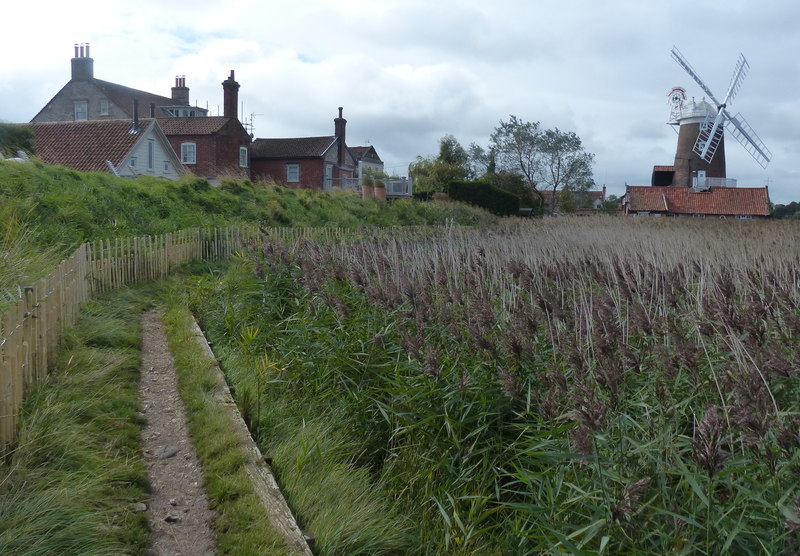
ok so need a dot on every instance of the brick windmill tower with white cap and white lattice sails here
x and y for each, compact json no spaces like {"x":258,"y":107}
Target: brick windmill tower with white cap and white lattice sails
{"x":701,"y":137}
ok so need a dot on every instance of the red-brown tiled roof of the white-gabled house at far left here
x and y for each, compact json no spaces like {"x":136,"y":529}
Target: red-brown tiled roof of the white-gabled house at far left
{"x":85,"y":145}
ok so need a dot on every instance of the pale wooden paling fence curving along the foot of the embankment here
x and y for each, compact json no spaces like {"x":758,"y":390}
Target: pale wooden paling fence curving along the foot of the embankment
{"x":31,"y":329}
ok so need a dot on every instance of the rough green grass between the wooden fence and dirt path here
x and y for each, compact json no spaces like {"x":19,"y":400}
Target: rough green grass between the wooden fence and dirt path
{"x":73,"y":482}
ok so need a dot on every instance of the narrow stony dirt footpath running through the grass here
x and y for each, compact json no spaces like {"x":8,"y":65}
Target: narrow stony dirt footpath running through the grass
{"x":178,"y":508}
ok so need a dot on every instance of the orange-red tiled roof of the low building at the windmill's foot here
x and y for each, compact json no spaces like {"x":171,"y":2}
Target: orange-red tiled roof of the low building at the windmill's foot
{"x":718,"y":201}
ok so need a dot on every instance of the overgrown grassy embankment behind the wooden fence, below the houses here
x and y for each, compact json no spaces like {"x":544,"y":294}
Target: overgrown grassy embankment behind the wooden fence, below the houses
{"x":46,"y":211}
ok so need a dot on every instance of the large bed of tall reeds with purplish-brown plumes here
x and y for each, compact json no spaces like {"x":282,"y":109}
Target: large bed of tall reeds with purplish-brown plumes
{"x":599,"y":385}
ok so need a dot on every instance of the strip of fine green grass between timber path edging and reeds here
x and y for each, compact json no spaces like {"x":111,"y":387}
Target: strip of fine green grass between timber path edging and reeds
{"x":315,"y":457}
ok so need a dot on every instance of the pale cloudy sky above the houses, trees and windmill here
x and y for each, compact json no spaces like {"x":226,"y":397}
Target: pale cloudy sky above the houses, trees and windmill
{"x":408,"y":72}
